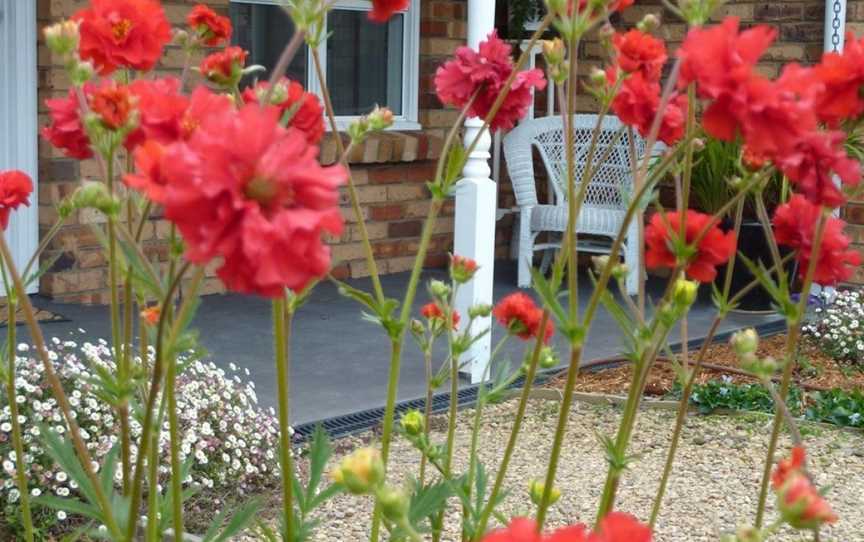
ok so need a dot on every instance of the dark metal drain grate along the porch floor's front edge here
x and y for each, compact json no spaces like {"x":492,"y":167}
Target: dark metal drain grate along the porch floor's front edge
{"x":357,"y":422}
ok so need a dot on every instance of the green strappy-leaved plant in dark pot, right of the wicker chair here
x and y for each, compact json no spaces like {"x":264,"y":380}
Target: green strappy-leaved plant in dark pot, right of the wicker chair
{"x":715,"y":164}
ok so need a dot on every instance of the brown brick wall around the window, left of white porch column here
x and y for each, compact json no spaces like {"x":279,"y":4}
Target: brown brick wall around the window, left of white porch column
{"x":390,"y":171}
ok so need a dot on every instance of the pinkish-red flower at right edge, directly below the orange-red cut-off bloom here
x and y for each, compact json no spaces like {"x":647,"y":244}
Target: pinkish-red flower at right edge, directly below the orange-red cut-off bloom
{"x":810,"y":164}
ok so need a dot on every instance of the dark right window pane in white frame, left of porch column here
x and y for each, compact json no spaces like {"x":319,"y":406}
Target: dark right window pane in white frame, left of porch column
{"x":364,"y":62}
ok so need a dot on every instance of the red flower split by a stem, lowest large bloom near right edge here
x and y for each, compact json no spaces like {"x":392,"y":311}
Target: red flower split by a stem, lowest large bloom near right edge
{"x":794,"y":227}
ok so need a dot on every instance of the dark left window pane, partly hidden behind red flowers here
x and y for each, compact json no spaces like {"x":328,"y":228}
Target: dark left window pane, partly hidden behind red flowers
{"x":264,"y":31}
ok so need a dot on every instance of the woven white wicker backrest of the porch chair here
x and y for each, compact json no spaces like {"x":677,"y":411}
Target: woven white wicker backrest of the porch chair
{"x":612,"y":181}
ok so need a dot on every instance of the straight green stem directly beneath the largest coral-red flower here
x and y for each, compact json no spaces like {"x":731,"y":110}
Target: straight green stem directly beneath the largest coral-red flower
{"x":282,"y":335}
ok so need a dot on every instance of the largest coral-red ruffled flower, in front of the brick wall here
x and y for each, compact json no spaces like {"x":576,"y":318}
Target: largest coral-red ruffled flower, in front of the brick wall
{"x":262,"y":205}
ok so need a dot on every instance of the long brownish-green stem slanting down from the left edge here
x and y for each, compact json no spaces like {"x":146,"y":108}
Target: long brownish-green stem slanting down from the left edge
{"x":84,"y":457}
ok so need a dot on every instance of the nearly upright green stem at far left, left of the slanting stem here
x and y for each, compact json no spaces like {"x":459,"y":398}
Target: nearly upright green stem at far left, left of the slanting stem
{"x":17,"y":443}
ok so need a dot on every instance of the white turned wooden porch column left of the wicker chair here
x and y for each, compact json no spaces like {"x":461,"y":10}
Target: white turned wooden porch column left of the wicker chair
{"x":476,"y":203}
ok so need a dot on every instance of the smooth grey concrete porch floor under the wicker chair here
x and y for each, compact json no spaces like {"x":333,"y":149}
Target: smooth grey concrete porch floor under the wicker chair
{"x":339,"y":362}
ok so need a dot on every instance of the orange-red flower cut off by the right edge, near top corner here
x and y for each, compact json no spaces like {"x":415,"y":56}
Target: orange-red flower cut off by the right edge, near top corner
{"x":842,"y":75}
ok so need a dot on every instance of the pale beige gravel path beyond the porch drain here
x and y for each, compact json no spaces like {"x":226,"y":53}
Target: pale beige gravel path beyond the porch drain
{"x":713,"y":489}
